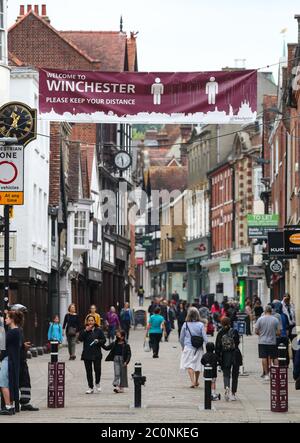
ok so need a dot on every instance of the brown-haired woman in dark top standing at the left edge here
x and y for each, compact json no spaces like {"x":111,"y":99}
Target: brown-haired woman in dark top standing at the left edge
{"x":10,"y":363}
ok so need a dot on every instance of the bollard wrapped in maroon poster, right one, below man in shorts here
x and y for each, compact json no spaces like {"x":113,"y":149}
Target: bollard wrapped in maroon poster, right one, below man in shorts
{"x":279,"y":383}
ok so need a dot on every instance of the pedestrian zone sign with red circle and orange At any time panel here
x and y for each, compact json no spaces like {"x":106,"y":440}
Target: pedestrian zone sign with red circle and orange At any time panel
{"x":11,"y":175}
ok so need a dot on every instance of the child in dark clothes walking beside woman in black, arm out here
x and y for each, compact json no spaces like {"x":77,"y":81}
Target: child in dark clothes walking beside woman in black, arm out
{"x":120,"y":354}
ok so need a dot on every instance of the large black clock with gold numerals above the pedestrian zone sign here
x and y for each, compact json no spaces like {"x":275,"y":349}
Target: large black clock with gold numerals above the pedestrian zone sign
{"x":17,"y":120}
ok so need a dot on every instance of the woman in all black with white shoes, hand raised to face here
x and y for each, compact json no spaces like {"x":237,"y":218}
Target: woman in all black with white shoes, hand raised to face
{"x":93,"y":339}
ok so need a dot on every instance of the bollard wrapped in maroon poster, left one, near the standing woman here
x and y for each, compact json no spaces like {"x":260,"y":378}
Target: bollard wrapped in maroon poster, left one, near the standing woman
{"x":56,"y":379}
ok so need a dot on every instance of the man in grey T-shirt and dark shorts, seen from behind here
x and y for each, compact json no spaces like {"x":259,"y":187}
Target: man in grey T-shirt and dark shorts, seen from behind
{"x":267,"y":328}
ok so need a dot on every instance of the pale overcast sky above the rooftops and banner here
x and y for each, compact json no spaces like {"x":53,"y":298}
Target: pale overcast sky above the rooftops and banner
{"x":184,"y":35}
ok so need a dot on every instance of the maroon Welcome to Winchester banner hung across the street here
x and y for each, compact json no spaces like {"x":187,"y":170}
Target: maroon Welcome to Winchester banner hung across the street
{"x":222,"y":97}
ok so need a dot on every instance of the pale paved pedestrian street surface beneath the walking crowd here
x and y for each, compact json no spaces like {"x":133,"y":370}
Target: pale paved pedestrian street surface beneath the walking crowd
{"x":167,"y":395}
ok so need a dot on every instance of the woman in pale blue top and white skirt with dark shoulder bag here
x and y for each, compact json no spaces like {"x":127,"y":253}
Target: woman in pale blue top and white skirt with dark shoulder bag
{"x":192,"y":335}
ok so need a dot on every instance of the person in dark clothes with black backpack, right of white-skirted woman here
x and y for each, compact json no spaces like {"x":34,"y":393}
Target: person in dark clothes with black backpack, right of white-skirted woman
{"x":229,"y":356}
